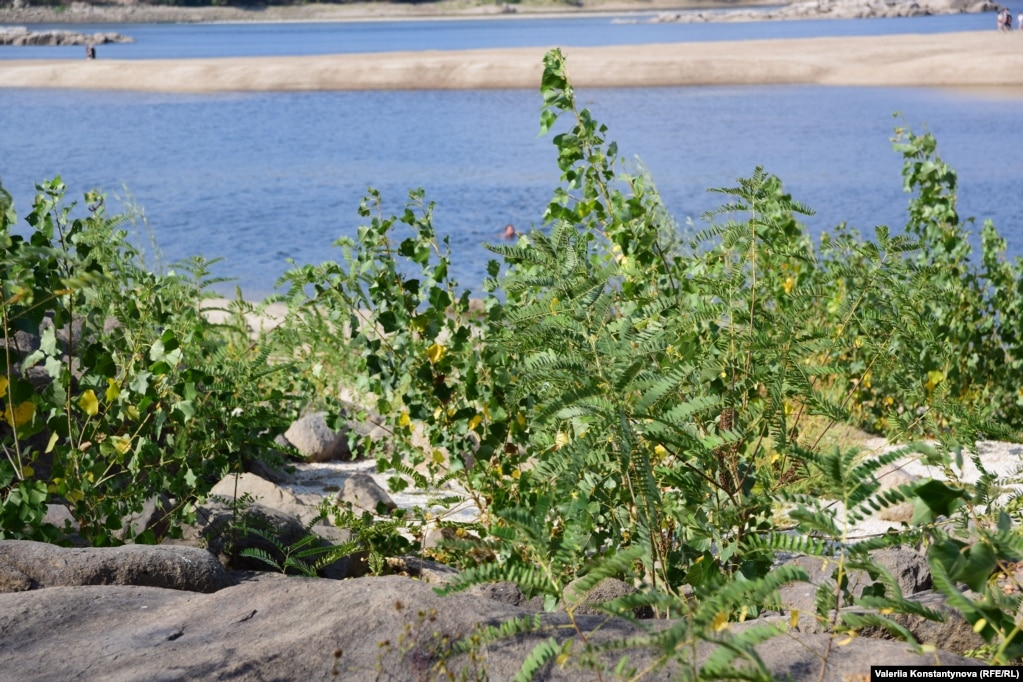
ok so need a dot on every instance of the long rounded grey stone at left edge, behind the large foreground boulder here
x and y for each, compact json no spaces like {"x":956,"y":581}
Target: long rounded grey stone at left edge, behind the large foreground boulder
{"x":29,"y":565}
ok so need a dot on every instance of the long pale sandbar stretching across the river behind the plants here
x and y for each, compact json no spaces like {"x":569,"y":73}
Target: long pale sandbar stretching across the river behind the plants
{"x":968,"y":60}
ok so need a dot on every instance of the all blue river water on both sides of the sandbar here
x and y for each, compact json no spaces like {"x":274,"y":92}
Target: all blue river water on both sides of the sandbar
{"x":258,"y":178}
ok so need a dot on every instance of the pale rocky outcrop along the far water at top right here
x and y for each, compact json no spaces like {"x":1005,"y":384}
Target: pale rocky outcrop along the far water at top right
{"x":836,"y":10}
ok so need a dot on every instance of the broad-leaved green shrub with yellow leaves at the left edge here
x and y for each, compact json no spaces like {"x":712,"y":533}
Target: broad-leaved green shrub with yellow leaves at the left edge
{"x":129,"y":393}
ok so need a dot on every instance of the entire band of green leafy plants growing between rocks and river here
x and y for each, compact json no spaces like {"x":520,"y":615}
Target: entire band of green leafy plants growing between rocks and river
{"x":625,"y":399}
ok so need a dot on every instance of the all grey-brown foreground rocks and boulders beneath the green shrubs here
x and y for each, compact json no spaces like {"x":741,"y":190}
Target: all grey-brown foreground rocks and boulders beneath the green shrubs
{"x":174,"y":612}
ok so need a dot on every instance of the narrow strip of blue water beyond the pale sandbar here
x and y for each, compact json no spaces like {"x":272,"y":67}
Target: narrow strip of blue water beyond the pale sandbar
{"x":162,"y":41}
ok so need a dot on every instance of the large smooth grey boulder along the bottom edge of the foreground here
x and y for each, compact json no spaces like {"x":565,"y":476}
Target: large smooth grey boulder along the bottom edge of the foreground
{"x":279,"y":628}
